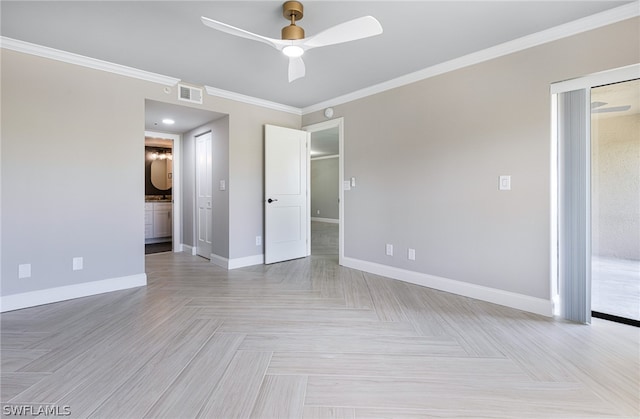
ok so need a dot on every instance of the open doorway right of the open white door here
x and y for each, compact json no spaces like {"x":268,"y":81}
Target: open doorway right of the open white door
{"x":327,"y":193}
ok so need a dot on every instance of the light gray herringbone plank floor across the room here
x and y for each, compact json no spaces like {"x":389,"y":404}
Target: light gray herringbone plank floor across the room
{"x":309,"y":339}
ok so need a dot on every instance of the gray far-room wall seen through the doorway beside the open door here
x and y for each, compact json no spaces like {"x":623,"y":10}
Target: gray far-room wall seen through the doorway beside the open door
{"x":324,"y":188}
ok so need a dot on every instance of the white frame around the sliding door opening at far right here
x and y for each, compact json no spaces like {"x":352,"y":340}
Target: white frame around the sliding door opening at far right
{"x":585,"y":83}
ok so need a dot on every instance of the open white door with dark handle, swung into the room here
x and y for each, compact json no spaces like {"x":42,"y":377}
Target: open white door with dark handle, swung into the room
{"x":286,"y":194}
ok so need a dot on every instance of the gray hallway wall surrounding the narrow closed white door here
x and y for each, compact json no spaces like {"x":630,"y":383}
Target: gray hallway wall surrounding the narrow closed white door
{"x":220,"y":171}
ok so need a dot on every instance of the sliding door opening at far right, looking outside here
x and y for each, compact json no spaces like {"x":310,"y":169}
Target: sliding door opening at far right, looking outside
{"x":615,"y":202}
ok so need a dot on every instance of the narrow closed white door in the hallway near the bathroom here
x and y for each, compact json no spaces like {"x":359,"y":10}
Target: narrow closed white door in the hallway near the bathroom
{"x":204,"y":215}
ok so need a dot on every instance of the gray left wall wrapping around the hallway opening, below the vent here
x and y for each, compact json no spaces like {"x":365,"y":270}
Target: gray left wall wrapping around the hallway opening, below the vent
{"x":61,"y":151}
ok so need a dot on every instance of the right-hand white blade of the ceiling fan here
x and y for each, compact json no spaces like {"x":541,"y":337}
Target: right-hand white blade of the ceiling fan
{"x":352,"y":30}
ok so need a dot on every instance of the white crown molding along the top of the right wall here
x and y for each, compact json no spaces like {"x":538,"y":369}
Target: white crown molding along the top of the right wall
{"x":598,"y":20}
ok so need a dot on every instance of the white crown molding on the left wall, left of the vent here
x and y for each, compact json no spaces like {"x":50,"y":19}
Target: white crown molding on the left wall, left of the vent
{"x":71,"y":58}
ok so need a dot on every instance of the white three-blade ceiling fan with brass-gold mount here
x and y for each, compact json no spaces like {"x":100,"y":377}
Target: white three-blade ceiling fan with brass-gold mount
{"x":293,"y":43}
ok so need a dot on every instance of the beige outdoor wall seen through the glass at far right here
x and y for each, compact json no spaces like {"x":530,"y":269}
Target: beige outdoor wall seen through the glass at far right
{"x":616,"y":187}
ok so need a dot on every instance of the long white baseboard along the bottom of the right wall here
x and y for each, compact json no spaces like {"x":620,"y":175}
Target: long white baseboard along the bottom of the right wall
{"x":479,"y":292}
